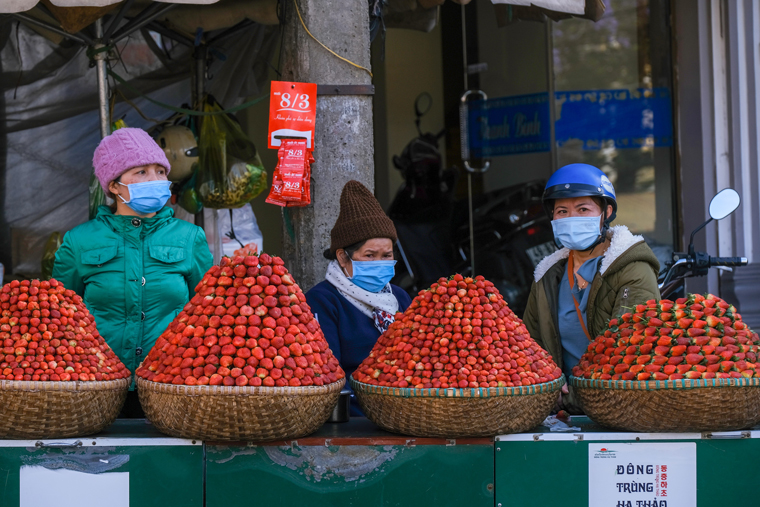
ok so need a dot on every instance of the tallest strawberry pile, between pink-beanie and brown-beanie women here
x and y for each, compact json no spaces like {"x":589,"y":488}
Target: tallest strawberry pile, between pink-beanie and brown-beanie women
{"x":248,"y":324}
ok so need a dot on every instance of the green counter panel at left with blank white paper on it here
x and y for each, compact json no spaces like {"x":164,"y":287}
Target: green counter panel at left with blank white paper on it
{"x":163,"y":471}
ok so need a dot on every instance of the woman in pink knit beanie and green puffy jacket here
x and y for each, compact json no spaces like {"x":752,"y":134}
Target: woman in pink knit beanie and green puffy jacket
{"x":135,"y":265}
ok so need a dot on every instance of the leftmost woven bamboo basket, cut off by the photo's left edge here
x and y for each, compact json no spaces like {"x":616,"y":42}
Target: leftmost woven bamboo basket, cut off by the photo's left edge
{"x":35,"y":409}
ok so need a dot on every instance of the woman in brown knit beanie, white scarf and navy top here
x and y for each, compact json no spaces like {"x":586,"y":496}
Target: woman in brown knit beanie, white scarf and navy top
{"x":356,"y":303}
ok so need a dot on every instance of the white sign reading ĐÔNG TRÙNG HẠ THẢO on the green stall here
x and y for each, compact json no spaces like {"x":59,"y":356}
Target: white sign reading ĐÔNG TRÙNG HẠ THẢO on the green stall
{"x":642,"y":474}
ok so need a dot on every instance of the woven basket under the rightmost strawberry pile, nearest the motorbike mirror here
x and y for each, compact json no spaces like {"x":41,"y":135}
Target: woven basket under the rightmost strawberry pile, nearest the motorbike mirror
{"x":671,"y":405}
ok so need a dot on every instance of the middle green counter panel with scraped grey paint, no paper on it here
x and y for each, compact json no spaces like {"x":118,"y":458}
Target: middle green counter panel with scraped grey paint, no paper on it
{"x":351,"y":464}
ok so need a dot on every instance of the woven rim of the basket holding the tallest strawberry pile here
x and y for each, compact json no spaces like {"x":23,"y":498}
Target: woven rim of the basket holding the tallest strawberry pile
{"x":196,"y":390}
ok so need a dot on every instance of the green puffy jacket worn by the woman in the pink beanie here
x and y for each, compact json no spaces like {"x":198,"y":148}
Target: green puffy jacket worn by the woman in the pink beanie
{"x":135,"y":275}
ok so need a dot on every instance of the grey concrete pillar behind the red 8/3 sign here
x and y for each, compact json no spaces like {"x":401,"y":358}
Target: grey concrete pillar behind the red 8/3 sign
{"x":344,"y":136}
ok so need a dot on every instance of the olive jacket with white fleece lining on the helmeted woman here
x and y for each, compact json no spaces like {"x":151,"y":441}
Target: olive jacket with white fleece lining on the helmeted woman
{"x":627,"y":276}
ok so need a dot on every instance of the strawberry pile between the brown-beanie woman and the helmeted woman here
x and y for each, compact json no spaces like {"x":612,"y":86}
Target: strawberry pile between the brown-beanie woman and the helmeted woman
{"x":459,"y":333}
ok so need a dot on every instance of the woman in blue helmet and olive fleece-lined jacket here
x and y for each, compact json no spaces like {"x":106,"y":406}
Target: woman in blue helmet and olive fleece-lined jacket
{"x":597,"y":273}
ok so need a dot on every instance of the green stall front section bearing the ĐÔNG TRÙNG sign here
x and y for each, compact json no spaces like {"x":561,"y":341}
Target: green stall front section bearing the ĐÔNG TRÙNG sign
{"x":596,"y":467}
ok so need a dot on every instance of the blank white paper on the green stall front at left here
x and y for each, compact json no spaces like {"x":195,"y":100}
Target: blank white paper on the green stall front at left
{"x":67,"y":488}
